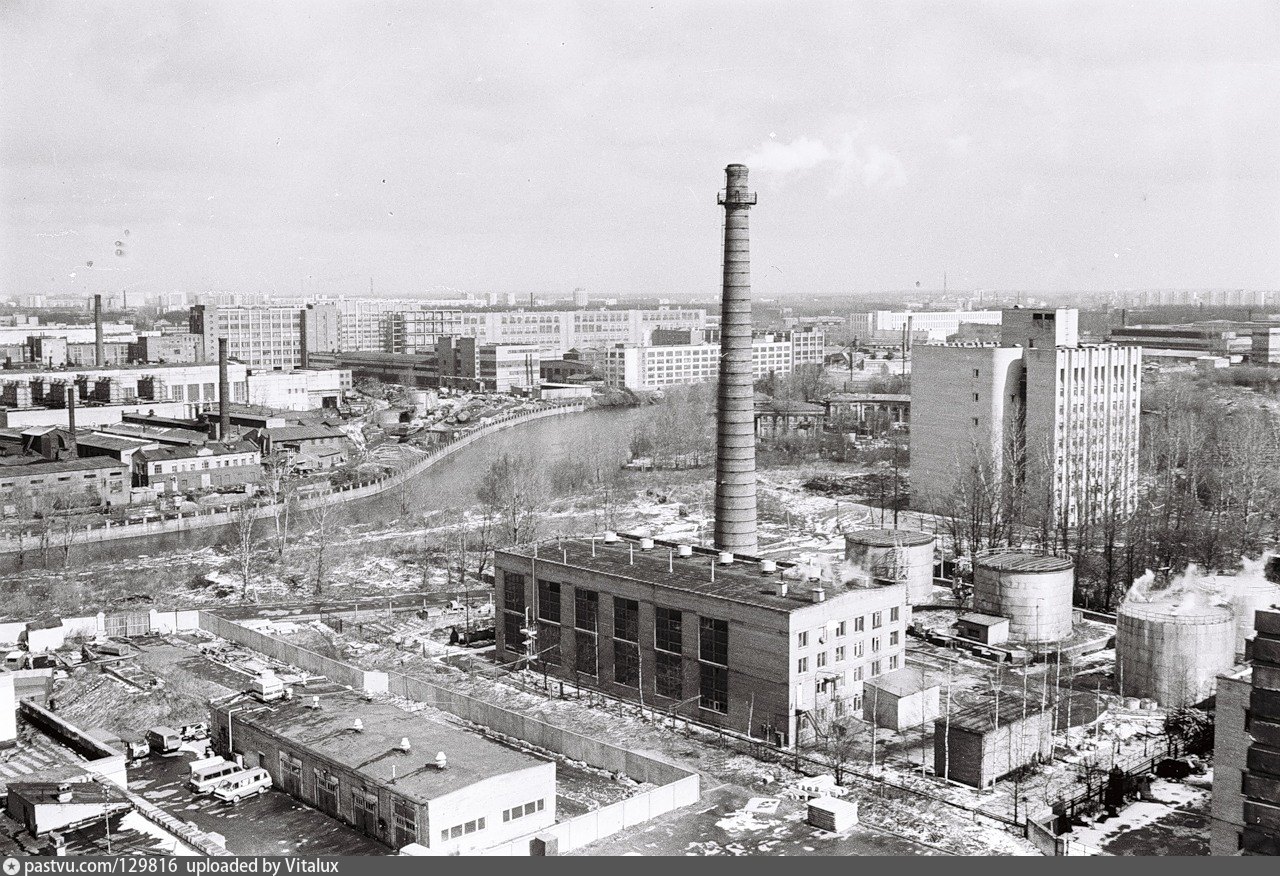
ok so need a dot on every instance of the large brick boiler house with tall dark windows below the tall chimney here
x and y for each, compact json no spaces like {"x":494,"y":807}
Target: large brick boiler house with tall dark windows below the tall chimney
{"x":733,"y":641}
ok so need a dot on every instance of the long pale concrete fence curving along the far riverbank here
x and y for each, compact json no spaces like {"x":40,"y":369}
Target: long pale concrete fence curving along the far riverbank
{"x":61,"y":539}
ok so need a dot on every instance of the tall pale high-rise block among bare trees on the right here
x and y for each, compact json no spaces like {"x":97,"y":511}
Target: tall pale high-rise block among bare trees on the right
{"x":1064,"y":416}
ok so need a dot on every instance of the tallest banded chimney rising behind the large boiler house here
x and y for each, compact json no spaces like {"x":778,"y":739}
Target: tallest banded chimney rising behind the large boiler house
{"x":735,"y":401}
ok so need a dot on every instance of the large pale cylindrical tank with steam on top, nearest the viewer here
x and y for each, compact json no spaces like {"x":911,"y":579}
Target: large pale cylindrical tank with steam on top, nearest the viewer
{"x":1173,"y":653}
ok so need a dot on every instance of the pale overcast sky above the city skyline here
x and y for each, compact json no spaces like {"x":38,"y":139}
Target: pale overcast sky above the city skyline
{"x":542,"y":147}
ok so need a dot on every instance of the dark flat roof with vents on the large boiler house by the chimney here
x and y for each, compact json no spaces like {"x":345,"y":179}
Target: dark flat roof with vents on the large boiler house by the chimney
{"x":700,"y":574}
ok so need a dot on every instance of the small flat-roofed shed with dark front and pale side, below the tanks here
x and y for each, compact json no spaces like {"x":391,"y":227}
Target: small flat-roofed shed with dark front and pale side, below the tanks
{"x":985,"y":743}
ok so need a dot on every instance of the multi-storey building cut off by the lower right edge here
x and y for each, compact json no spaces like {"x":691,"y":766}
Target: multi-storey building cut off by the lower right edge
{"x":1247,"y":745}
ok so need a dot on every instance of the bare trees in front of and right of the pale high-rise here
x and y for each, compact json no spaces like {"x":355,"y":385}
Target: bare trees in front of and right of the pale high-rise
{"x":1208,"y":492}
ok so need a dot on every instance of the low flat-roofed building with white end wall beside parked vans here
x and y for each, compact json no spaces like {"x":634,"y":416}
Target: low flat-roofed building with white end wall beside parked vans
{"x":397,"y":777}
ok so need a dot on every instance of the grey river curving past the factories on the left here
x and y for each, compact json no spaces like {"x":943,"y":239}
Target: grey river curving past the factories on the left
{"x":449,"y":485}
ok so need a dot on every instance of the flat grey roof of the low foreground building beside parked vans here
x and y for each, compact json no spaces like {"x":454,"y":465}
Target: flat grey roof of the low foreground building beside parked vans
{"x":376,"y":752}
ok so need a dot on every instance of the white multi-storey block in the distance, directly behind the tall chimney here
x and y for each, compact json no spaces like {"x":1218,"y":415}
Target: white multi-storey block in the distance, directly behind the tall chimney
{"x":650,"y":368}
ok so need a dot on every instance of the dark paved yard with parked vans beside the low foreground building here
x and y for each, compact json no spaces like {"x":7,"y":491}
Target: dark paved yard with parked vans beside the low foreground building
{"x":272,"y":824}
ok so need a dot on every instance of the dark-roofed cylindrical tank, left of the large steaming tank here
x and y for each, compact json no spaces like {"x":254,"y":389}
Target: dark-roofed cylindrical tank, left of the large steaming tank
{"x":1034,"y":591}
